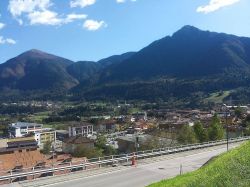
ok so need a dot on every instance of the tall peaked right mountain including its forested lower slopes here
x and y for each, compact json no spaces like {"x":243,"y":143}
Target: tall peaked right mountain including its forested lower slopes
{"x":184,"y":68}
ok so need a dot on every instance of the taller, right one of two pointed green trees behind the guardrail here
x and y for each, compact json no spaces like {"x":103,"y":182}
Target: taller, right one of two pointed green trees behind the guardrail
{"x":216,"y":131}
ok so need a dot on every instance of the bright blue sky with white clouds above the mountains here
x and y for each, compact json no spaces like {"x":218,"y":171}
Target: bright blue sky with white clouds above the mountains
{"x":95,"y":29}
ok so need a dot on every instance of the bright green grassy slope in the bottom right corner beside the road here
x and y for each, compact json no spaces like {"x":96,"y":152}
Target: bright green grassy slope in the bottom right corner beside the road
{"x":228,"y":170}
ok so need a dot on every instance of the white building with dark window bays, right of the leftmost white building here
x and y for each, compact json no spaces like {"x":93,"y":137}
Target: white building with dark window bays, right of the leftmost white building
{"x":81,"y":129}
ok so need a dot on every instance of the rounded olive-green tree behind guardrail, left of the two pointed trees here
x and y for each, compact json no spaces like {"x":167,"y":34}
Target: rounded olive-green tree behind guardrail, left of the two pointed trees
{"x":186,"y":135}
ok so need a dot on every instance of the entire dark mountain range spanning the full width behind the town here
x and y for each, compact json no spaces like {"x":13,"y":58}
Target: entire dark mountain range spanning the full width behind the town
{"x":188,"y":66}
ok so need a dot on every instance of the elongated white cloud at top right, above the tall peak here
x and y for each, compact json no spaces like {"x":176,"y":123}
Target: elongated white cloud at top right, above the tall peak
{"x":215,"y":5}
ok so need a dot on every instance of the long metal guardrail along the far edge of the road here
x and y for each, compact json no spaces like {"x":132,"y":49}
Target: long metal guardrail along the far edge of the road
{"x":120,"y":158}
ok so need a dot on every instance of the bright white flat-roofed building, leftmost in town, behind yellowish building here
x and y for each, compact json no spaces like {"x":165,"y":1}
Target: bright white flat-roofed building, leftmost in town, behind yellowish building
{"x":21,"y":129}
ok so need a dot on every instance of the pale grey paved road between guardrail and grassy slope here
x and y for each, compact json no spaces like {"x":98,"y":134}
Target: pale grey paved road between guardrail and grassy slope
{"x":146,"y":172}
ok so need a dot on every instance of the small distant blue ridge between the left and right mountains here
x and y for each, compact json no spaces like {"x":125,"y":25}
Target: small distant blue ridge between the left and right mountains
{"x":115,"y":59}
